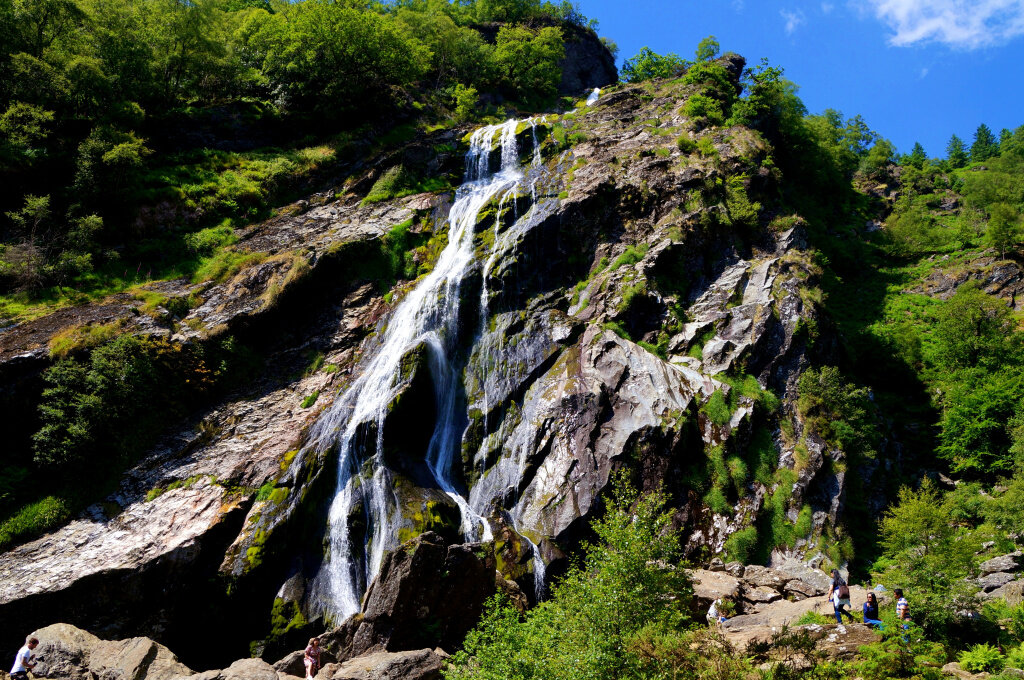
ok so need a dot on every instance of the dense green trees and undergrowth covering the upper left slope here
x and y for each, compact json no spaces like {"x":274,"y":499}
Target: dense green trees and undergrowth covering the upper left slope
{"x":124,"y":127}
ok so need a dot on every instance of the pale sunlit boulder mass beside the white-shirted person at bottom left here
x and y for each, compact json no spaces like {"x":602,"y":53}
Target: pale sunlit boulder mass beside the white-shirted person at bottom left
{"x":67,"y":652}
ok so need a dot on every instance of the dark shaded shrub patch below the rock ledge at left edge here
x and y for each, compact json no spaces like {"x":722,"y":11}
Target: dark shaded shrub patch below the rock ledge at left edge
{"x":101,"y":413}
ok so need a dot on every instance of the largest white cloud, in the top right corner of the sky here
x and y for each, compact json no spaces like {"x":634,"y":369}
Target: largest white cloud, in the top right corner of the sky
{"x":960,"y":24}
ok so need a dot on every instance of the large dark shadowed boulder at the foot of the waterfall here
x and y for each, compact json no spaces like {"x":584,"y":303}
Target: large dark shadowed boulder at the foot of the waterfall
{"x":428,"y":594}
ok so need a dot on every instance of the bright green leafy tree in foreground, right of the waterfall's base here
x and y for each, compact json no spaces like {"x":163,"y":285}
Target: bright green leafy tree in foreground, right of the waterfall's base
{"x":628,"y":583}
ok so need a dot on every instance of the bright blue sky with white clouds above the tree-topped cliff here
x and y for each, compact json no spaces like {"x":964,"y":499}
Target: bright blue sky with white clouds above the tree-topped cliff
{"x":916,"y":70}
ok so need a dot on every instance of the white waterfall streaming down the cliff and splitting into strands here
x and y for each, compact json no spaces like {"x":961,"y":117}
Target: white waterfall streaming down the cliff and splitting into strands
{"x":428,"y":316}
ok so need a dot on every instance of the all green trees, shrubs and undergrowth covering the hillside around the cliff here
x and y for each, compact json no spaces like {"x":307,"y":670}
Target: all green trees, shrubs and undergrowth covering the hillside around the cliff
{"x":916,"y":374}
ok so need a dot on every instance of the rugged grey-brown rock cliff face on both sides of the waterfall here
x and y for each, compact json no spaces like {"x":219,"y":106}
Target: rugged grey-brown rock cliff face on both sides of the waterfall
{"x":643,"y":313}
